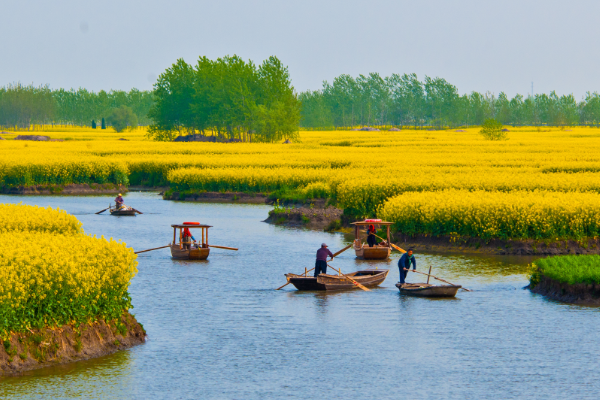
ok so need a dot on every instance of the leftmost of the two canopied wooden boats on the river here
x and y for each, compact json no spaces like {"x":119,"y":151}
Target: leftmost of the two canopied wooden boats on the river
{"x":186,"y":249}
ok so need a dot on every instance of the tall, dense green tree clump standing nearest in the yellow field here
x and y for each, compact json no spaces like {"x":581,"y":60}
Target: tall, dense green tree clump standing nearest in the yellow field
{"x":228,"y":98}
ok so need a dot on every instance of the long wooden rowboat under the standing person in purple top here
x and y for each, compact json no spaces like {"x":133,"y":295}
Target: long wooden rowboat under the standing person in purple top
{"x":368,"y":278}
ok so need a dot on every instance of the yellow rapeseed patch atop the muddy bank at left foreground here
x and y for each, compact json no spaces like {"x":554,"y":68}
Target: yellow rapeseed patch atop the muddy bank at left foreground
{"x":52,"y":273}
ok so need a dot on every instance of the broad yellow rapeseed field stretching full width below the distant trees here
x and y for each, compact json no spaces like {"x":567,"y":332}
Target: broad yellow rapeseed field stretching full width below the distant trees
{"x":359,"y":170}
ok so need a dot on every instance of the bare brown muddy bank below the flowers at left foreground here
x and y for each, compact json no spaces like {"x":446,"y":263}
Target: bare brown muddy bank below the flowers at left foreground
{"x":51,"y":346}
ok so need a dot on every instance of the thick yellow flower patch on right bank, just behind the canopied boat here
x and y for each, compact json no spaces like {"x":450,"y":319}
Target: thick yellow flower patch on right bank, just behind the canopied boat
{"x":512,"y":215}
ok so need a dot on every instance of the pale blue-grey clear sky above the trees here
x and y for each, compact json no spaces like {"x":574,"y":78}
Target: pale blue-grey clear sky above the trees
{"x":477,"y":45}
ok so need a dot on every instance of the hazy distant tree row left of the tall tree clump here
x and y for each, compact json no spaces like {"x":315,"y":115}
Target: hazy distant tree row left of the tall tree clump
{"x":24,"y":106}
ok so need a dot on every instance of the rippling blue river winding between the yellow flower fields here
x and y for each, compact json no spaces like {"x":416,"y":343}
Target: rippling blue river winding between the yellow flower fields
{"x":218,"y":329}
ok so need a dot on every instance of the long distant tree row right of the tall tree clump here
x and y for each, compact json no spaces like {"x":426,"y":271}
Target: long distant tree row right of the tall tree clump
{"x":403,"y":100}
